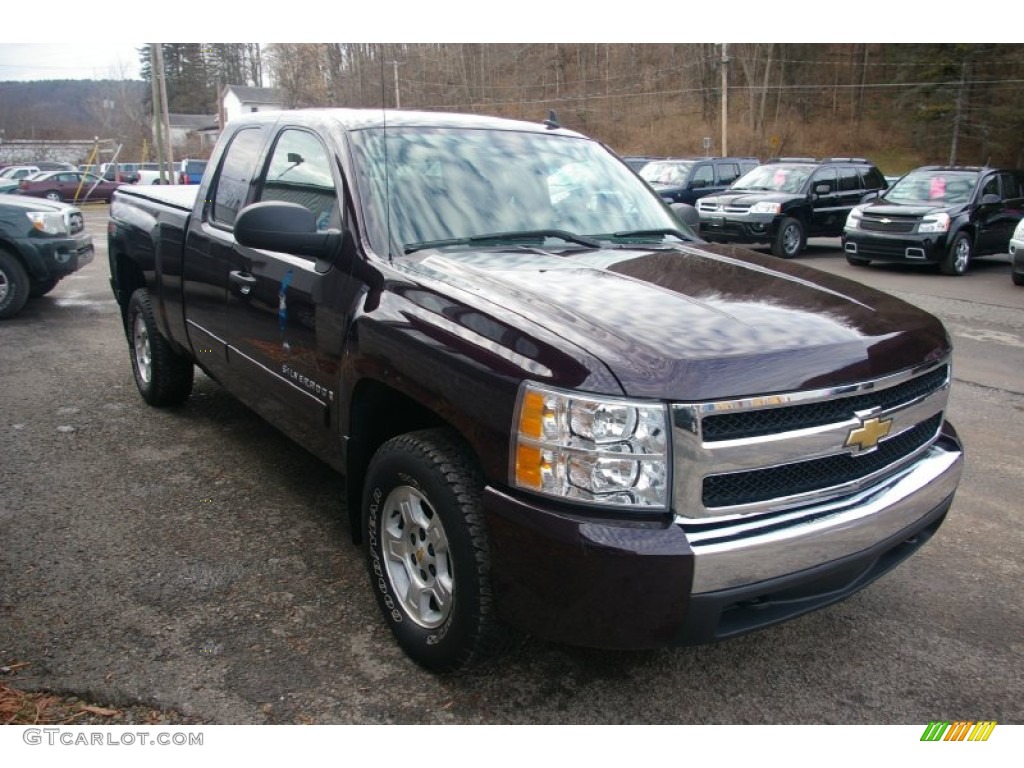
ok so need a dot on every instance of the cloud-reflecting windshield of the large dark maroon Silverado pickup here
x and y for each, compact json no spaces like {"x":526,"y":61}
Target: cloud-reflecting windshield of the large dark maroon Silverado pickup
{"x":445,"y":187}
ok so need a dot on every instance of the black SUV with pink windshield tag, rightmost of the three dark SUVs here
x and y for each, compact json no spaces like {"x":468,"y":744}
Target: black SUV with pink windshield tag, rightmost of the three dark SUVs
{"x":938,"y":216}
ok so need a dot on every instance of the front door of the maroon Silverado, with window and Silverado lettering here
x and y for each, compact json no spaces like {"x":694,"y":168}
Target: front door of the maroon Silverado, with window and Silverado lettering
{"x":287,"y":316}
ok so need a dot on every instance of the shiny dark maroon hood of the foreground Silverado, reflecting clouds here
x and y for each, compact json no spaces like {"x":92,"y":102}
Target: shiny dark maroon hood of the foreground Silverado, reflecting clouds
{"x":700,"y":322}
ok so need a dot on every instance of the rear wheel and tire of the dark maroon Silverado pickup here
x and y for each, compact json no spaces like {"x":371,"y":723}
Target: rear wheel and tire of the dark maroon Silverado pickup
{"x":163,"y":376}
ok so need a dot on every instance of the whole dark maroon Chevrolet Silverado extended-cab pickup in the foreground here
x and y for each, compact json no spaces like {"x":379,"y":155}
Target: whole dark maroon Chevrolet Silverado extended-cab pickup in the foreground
{"x":558,"y":411}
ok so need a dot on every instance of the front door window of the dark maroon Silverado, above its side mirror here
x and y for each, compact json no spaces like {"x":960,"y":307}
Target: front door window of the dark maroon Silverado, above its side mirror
{"x":300,"y":173}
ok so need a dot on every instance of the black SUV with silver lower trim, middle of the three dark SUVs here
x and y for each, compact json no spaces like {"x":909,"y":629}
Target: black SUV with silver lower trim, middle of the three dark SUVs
{"x":788,"y":200}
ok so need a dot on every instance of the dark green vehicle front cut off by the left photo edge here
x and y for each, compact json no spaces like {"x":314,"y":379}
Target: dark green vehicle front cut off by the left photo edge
{"x":44,"y":242}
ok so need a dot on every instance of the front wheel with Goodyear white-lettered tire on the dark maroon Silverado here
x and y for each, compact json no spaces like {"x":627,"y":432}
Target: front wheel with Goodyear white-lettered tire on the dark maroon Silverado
{"x":426,"y":537}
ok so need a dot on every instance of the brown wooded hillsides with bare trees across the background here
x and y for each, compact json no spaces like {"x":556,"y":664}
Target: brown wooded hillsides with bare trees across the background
{"x":900,"y":105}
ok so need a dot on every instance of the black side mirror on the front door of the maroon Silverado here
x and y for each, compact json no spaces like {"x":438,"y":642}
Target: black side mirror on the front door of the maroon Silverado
{"x":287,"y":228}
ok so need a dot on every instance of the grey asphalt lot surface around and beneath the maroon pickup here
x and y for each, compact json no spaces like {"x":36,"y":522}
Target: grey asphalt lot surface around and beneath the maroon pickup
{"x":197,"y":560}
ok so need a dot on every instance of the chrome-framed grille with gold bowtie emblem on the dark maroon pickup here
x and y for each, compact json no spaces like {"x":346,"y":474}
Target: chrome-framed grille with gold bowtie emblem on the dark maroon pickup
{"x":769,"y":455}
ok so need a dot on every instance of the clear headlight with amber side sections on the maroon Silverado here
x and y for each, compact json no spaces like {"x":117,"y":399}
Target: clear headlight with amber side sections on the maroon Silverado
{"x":585,"y":448}
